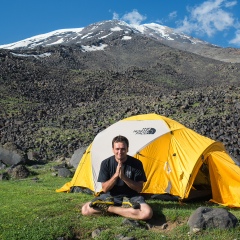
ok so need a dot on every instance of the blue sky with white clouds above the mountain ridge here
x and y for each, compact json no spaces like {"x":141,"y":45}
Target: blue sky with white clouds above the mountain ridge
{"x":215,"y":21}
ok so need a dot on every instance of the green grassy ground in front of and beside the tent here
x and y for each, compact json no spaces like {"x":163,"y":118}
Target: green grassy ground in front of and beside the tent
{"x":32,"y":209}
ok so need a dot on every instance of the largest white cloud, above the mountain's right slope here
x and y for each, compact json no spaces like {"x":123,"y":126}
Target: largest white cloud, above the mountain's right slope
{"x":208,"y":18}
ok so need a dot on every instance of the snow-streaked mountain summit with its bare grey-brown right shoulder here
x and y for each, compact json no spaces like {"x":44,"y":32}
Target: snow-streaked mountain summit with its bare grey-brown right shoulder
{"x":98,"y":36}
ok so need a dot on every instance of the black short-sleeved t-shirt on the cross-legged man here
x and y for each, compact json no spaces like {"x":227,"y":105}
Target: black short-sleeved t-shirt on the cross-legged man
{"x":133,"y":169}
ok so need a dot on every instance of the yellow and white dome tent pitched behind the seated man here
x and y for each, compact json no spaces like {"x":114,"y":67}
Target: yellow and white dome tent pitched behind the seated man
{"x":176,"y":160}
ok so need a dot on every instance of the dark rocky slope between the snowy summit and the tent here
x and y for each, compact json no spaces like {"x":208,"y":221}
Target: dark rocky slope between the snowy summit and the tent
{"x":55,"y":99}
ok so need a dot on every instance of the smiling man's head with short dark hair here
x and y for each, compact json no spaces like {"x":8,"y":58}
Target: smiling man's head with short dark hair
{"x":120,"y":146}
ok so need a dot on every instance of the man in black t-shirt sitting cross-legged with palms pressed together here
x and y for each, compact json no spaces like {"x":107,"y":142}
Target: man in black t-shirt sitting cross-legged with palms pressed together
{"x":122,"y":178}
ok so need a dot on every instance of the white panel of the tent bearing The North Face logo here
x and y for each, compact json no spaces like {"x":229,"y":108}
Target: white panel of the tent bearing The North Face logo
{"x":141,"y":133}
